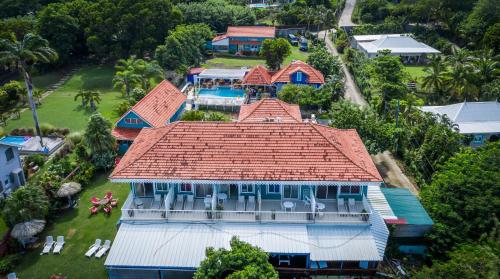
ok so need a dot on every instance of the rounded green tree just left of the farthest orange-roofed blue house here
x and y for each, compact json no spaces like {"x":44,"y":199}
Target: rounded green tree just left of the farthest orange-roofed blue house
{"x":184,"y":47}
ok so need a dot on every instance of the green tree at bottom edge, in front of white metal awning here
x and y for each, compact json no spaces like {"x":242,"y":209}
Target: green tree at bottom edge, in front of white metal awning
{"x":241,"y":261}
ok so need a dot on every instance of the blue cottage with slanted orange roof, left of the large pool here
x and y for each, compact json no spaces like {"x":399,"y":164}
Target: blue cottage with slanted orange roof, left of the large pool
{"x":163,"y":105}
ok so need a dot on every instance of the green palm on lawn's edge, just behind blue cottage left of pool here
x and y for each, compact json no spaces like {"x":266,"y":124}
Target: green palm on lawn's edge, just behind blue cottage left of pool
{"x":126,"y":75}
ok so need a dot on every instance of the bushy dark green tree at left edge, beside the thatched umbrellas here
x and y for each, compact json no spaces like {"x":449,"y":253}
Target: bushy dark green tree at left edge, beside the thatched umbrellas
{"x":24,"y":204}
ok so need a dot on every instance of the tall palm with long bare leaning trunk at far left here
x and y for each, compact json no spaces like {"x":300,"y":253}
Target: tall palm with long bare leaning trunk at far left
{"x":21,"y":55}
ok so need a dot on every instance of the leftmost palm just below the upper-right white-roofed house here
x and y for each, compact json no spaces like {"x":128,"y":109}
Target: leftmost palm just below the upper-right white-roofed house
{"x":435,"y":80}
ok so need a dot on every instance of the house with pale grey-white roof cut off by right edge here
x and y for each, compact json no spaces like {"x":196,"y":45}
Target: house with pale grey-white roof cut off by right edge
{"x":481,"y":120}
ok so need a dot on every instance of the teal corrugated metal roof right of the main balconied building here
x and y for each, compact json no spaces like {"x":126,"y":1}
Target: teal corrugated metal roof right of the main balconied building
{"x":405,"y":205}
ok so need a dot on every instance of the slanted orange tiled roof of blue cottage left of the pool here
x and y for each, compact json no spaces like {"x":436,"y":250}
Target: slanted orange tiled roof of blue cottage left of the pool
{"x":159,"y":105}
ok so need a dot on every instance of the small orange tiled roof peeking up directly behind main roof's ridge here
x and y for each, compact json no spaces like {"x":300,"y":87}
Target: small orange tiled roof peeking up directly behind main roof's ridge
{"x":269,"y":108}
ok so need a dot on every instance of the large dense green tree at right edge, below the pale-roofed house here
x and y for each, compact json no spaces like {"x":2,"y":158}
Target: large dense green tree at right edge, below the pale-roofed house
{"x":464,"y":197}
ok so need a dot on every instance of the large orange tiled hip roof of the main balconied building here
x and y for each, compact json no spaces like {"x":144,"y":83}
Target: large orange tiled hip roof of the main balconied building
{"x":247,"y":151}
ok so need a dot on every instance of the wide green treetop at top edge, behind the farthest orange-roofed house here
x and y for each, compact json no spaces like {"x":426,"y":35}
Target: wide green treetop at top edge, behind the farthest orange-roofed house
{"x":218,"y":14}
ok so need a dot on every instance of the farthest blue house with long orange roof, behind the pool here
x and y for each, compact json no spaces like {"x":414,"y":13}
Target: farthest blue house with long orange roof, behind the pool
{"x":245,"y":40}
